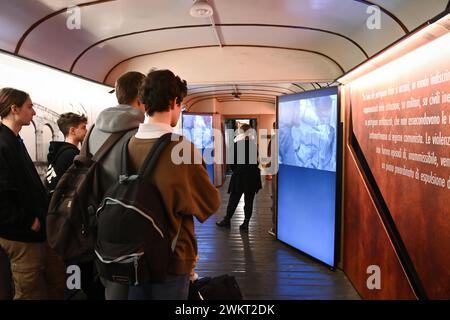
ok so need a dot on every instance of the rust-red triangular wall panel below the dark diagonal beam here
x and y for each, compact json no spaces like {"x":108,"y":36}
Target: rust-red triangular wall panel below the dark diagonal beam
{"x":366,"y":241}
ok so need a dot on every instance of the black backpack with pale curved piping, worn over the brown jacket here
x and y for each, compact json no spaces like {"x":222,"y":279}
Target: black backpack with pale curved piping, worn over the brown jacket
{"x":133,"y":243}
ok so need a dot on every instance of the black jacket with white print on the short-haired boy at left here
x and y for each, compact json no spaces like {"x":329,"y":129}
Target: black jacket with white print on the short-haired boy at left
{"x":60,"y":158}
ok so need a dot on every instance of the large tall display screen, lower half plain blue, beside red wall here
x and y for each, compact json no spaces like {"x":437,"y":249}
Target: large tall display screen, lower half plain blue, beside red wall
{"x":307,"y":140}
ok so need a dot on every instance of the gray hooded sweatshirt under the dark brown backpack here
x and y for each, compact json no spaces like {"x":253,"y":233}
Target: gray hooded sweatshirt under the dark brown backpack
{"x":115,"y":119}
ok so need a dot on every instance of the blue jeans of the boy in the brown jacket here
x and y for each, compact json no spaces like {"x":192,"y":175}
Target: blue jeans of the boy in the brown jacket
{"x":175,"y":287}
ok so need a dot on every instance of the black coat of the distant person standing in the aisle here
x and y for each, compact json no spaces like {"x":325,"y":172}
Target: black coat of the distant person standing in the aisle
{"x":246,"y":174}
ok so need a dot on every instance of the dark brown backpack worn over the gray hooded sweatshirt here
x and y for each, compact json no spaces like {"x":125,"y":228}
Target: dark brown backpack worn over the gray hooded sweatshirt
{"x":71,"y":214}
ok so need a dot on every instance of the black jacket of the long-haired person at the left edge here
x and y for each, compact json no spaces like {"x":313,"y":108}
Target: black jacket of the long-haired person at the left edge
{"x":23,"y":197}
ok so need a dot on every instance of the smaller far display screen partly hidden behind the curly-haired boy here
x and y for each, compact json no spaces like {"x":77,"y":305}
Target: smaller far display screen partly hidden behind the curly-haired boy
{"x":198,"y":128}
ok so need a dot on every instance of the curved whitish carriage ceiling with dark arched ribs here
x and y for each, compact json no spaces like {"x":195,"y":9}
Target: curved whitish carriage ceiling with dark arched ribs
{"x":283,"y":41}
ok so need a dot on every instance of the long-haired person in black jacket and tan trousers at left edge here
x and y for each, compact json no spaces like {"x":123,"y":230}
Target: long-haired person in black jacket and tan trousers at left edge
{"x":23,"y":199}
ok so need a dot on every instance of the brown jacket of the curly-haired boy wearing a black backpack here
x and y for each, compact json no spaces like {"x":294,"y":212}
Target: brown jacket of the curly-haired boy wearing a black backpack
{"x":186,"y":191}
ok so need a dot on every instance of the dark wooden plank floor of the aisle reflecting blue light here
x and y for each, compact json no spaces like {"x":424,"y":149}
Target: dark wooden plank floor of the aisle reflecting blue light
{"x":264,"y":267}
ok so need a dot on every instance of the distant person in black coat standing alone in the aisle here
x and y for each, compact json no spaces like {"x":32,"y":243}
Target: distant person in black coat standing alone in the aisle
{"x":246,"y":177}
